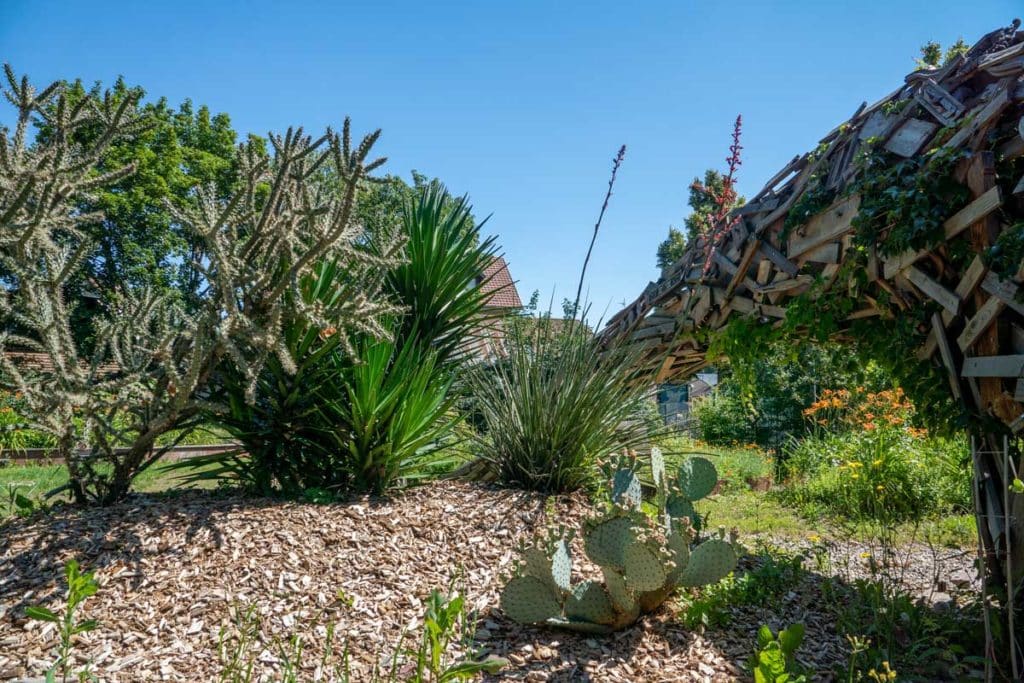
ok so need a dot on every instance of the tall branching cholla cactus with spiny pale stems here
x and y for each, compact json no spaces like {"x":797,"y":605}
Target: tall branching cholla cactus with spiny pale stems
{"x":152,"y":362}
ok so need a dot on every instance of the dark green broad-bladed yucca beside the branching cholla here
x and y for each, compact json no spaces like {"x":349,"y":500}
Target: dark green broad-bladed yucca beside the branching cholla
{"x":370,"y":410}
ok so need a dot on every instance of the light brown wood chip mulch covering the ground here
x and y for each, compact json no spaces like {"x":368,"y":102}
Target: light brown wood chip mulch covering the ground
{"x":175,"y":570}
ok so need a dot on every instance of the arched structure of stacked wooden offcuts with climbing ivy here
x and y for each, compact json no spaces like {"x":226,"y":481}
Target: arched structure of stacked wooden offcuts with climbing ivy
{"x":973,"y":105}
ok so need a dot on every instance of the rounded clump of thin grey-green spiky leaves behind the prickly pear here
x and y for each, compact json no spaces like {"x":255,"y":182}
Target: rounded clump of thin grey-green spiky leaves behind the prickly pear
{"x":556,"y":406}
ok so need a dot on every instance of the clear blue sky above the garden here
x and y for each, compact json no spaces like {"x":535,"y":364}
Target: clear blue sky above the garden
{"x":522,"y":105}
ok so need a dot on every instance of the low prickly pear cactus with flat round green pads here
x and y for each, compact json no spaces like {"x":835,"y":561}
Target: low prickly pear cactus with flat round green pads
{"x":643,"y":562}
